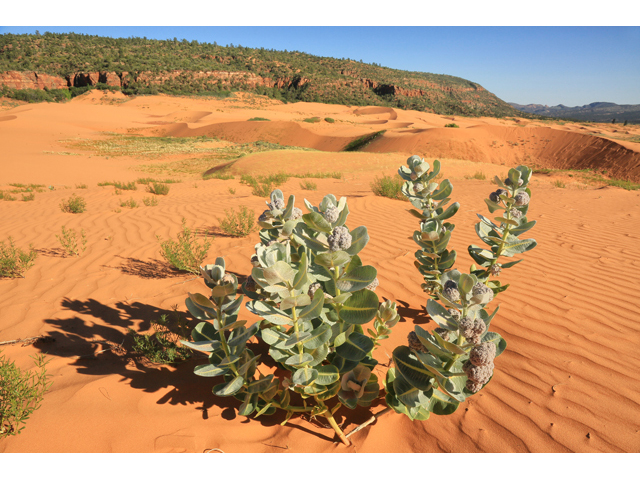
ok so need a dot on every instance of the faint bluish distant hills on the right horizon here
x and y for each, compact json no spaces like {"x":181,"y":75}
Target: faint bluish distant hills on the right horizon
{"x":594,"y":112}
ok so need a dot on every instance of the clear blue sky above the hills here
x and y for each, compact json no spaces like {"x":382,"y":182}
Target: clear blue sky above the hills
{"x":547,"y":65}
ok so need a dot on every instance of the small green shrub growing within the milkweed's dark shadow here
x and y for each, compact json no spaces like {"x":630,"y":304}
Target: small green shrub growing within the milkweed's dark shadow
{"x":162,"y":345}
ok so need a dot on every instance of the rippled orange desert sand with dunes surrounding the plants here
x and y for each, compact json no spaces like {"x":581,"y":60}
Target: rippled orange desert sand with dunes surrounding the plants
{"x":569,"y":380}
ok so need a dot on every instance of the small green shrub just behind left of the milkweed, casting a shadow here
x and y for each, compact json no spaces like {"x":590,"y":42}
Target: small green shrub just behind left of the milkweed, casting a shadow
{"x":185,"y":253}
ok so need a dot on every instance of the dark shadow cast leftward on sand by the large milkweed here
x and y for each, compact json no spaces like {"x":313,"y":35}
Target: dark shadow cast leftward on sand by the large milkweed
{"x":96,"y":338}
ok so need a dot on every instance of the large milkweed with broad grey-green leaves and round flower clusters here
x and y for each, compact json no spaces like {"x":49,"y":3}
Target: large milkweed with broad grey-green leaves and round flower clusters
{"x":321,"y":319}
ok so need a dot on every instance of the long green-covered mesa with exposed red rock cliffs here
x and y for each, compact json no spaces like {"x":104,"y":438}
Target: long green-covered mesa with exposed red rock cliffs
{"x":142,"y":66}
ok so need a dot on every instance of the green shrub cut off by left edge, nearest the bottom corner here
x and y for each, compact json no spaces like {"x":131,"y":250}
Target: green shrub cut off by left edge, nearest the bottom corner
{"x":21,"y":394}
